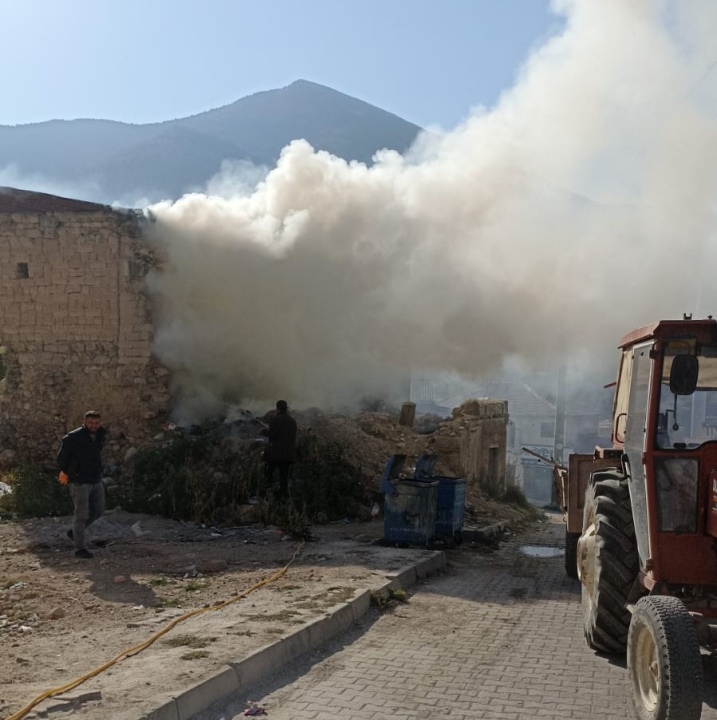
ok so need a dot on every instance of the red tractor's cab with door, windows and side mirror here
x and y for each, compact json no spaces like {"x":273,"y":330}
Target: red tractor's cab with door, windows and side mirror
{"x":665,"y":423}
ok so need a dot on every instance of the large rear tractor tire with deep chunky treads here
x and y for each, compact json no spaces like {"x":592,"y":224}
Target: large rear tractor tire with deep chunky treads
{"x":609,"y":562}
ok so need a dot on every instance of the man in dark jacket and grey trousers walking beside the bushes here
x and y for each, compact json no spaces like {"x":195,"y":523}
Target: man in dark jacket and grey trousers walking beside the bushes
{"x":80,"y":463}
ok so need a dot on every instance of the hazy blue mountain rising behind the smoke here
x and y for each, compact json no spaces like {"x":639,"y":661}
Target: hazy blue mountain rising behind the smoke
{"x":160,"y":160}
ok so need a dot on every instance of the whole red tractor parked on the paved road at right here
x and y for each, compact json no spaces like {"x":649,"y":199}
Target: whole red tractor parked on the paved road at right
{"x":641,"y":518}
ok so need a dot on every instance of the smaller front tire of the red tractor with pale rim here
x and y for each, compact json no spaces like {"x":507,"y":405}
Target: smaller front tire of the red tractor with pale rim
{"x":663,"y":661}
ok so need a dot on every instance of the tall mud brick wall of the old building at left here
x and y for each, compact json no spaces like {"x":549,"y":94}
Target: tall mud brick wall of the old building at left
{"x":75,"y":329}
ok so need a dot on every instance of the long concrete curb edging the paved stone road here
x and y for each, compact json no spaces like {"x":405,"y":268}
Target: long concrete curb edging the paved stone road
{"x":246,"y":672}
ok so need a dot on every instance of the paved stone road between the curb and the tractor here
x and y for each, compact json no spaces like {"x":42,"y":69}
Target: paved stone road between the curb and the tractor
{"x":498,"y":637}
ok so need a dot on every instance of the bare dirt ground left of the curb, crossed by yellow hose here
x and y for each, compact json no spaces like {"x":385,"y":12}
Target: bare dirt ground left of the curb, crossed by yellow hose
{"x":61,"y":617}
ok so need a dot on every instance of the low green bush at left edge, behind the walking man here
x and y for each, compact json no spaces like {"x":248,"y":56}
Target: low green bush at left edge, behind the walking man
{"x":35,"y":493}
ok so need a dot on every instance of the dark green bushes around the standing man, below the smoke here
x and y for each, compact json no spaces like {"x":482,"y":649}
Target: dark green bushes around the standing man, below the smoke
{"x":199,"y":478}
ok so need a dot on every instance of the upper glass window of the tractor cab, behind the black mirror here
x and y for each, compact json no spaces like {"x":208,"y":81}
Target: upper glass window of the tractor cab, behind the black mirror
{"x":686,"y":421}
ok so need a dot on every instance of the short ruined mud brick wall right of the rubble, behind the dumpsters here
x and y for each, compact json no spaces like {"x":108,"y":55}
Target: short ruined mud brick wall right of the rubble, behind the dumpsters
{"x":484,"y":444}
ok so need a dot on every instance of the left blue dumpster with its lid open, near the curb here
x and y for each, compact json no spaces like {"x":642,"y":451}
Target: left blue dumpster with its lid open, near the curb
{"x":409,"y":507}
